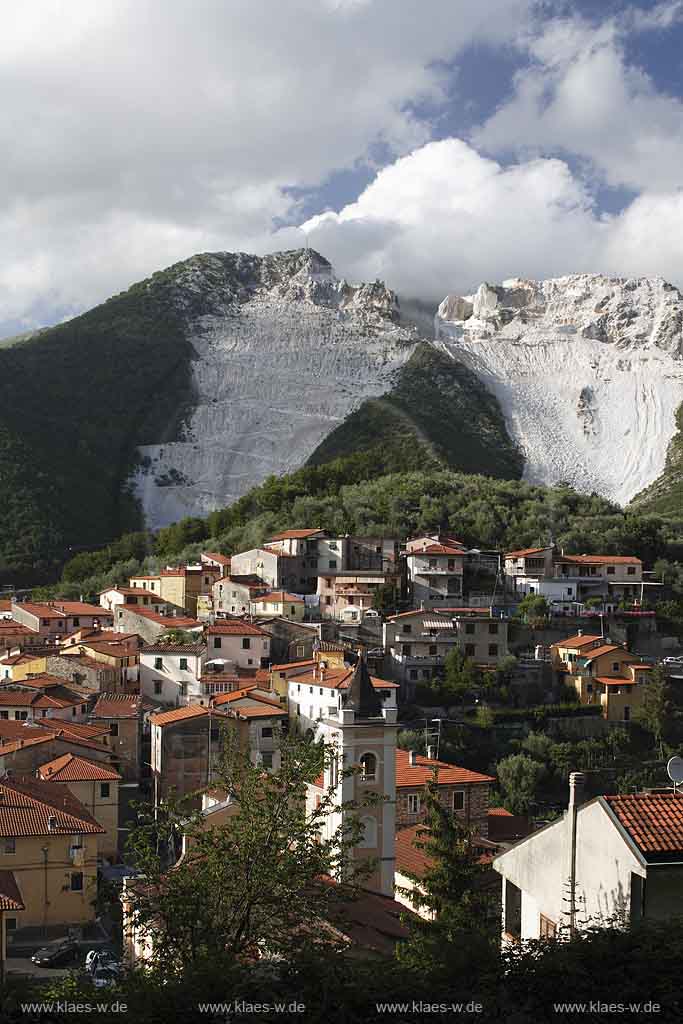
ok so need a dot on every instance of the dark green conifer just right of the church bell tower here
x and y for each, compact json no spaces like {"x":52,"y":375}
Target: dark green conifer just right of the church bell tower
{"x":458,"y":910}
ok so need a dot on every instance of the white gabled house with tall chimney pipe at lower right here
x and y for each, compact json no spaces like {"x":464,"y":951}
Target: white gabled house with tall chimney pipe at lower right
{"x":612,"y":860}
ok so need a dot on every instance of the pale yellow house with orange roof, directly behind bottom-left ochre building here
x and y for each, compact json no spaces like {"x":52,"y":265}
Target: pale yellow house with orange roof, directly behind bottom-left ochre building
{"x":95,"y":786}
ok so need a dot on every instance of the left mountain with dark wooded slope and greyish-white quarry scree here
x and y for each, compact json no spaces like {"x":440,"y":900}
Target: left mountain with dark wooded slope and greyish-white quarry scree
{"x":182,"y":394}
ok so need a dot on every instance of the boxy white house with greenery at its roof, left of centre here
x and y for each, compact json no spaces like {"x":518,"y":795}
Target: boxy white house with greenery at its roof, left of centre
{"x":172,"y":673}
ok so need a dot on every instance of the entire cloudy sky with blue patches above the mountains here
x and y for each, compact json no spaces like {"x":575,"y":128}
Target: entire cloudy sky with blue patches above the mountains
{"x":434,"y":146}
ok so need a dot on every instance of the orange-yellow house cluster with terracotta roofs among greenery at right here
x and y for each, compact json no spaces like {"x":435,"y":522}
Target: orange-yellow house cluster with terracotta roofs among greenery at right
{"x":604,"y":674}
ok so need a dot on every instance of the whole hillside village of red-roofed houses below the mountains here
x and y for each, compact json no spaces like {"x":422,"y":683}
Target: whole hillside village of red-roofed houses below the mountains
{"x":413,"y":662}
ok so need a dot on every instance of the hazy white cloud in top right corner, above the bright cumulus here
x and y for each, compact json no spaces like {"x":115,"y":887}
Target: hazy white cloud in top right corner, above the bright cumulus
{"x":581,"y":97}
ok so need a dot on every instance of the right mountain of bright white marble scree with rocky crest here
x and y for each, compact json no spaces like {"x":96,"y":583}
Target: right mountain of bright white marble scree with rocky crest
{"x":587,"y":369}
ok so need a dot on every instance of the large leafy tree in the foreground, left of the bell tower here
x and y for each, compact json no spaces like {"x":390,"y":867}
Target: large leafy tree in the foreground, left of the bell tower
{"x":252,"y":883}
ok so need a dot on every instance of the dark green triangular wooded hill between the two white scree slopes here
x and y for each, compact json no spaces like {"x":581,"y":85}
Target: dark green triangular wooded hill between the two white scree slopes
{"x":437,"y":414}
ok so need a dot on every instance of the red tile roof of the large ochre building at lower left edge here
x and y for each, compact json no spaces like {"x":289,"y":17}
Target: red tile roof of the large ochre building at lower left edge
{"x":28,"y":805}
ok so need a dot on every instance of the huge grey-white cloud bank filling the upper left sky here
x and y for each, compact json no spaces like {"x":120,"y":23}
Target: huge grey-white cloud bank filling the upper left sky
{"x":136,"y":133}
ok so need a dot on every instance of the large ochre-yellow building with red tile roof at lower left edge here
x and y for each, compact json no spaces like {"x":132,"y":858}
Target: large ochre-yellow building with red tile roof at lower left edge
{"x":50,"y":842}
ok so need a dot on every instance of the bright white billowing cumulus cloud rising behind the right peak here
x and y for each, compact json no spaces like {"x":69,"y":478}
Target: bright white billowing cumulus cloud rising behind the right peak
{"x":445,"y":219}
